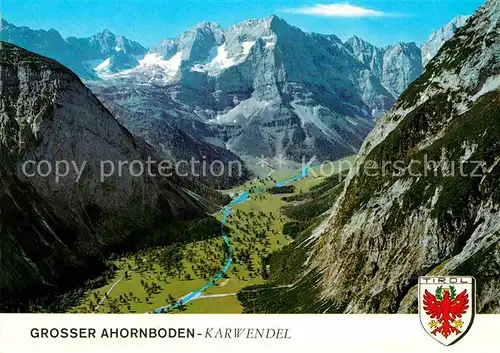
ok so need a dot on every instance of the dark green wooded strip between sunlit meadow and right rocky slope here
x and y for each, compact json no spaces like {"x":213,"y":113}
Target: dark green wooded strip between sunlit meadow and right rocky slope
{"x":305,"y":211}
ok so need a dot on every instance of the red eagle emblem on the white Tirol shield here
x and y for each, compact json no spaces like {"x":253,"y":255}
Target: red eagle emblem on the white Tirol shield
{"x":445,"y":308}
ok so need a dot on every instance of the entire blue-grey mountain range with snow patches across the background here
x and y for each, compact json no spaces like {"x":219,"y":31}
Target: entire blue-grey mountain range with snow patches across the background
{"x":299,"y":94}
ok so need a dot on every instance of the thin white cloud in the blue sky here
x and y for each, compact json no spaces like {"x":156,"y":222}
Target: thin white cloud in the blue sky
{"x":338,"y":10}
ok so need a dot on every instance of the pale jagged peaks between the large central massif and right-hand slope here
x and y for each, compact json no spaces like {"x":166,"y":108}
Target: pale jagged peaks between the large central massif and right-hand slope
{"x":396,"y":66}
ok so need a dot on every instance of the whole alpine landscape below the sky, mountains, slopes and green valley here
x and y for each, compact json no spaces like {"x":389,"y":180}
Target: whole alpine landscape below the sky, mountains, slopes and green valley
{"x":258,"y":238}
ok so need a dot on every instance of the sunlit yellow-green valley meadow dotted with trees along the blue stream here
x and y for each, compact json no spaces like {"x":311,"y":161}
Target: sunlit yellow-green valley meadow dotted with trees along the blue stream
{"x":156,"y":277}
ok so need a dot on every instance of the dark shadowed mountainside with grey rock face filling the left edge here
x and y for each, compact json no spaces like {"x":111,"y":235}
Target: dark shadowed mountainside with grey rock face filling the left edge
{"x":49,"y":225}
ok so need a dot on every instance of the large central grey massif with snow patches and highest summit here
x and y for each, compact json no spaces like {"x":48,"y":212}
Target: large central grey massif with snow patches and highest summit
{"x":298,"y":94}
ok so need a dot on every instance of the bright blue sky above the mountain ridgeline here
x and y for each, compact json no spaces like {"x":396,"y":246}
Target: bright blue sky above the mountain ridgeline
{"x":381,"y":22}
